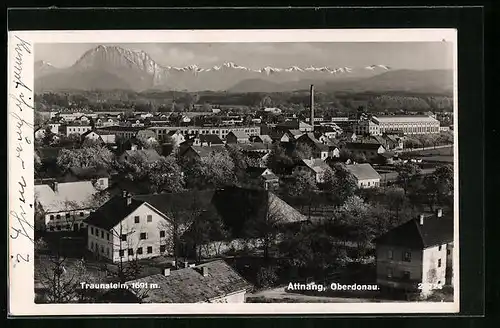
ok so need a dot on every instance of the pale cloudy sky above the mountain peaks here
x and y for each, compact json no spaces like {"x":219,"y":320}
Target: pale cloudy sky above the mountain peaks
{"x":398,"y":55}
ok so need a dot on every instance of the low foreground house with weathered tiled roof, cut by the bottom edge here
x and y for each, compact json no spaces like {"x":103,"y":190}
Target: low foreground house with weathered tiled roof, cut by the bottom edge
{"x":212,"y":282}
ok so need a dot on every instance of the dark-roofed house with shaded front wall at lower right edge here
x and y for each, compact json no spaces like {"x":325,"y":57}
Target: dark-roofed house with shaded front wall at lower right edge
{"x":418,"y":253}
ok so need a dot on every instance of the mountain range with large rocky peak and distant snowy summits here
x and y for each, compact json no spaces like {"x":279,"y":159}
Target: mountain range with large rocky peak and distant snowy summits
{"x":113,"y":67}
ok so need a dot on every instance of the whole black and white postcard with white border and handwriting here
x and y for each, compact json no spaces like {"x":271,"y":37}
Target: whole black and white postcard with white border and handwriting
{"x":213,"y":172}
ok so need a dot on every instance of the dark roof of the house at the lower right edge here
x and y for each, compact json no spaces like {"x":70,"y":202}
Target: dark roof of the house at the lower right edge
{"x":434,"y":231}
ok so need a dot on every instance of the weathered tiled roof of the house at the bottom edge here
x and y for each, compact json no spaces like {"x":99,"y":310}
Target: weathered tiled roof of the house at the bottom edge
{"x":190,"y":286}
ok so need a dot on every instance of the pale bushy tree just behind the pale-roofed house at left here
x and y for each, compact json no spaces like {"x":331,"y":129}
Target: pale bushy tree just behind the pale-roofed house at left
{"x":88,"y":157}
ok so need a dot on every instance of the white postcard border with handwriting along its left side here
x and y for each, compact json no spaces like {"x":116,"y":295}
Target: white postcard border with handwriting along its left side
{"x":20,"y":125}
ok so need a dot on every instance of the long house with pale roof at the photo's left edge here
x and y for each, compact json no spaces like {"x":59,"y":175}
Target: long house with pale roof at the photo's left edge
{"x":63,"y":206}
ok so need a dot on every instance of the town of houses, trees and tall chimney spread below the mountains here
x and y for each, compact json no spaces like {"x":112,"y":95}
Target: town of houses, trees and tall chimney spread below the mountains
{"x":218,"y":207}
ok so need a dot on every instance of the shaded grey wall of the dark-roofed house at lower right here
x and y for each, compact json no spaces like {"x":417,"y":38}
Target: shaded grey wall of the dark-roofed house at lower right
{"x":398,"y":267}
